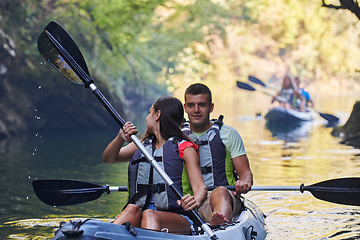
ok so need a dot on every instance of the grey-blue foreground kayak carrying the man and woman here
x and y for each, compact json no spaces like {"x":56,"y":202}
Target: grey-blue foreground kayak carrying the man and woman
{"x":248,"y":225}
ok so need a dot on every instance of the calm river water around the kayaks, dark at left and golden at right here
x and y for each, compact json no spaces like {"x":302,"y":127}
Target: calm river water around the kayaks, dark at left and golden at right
{"x":308,"y":154}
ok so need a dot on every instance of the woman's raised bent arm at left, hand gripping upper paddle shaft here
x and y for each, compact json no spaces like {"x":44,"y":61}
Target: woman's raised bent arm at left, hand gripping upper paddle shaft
{"x":114,"y":152}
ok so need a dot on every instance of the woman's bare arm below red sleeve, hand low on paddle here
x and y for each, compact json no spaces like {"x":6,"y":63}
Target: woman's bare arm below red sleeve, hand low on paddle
{"x":192,"y":163}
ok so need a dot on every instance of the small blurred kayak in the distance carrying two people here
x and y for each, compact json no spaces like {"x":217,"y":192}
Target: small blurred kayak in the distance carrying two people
{"x":282,"y":115}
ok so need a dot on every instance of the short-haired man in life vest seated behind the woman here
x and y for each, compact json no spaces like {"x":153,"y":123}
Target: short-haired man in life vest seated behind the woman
{"x":222,"y":156}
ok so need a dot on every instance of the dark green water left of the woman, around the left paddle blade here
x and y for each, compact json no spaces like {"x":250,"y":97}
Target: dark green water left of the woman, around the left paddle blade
{"x":58,"y":156}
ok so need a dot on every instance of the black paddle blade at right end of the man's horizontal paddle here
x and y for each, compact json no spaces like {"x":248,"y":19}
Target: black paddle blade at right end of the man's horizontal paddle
{"x":342,"y":191}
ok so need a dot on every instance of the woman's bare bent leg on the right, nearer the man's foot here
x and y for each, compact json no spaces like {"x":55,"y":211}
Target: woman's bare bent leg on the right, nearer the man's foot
{"x":157,"y":220}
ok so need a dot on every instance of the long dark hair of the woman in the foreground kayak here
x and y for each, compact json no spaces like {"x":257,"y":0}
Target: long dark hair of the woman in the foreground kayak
{"x":171,"y":118}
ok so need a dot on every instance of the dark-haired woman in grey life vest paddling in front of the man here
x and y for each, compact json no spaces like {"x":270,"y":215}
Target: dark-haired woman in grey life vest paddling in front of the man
{"x":152,"y":204}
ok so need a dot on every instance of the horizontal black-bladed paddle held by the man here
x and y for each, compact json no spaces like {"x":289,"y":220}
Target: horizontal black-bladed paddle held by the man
{"x":62,"y":192}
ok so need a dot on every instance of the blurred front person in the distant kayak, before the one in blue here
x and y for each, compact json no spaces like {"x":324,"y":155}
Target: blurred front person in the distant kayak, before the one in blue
{"x":288,"y":97}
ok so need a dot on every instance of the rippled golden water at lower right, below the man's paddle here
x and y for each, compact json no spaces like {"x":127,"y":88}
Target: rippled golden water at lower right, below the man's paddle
{"x":303,"y":217}
